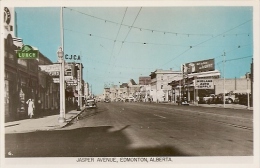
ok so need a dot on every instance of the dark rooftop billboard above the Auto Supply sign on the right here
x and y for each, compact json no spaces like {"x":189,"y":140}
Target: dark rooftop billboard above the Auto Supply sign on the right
{"x":200,"y":66}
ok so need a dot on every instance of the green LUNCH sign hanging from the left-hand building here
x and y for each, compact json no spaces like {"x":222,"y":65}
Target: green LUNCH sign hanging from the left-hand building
{"x":27,"y":52}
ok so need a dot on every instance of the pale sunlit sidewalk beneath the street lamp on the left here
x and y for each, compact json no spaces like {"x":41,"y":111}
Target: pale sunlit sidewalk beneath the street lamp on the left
{"x":40,"y":124}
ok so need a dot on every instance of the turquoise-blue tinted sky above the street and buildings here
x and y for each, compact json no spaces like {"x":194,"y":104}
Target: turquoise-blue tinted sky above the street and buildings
{"x":117,"y":44}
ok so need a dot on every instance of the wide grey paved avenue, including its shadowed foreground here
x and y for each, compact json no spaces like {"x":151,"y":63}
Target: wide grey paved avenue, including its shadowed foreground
{"x":143,"y":129}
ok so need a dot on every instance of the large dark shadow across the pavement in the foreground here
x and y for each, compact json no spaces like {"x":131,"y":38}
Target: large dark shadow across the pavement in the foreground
{"x":80,"y":142}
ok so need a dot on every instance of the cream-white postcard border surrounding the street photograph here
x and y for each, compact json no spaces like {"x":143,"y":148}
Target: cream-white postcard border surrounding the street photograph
{"x":206,"y":162}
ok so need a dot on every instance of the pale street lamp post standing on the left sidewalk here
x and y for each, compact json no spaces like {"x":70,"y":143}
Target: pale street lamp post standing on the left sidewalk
{"x":60,"y":54}
